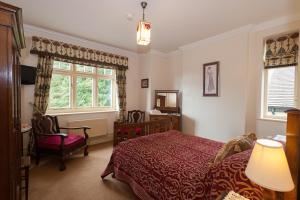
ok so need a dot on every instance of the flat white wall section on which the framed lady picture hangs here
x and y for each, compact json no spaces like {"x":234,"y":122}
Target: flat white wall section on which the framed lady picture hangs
{"x":219,"y":118}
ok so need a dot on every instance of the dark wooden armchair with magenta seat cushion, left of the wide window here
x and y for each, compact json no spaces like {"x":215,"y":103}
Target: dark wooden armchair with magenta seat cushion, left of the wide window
{"x":49,"y":140}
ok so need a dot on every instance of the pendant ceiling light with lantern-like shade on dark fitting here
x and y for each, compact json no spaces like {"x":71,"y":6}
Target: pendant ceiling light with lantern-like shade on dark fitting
{"x":144,"y":29}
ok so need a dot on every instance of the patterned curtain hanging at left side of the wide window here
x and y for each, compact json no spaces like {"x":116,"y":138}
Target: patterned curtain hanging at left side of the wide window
{"x":42,"y":84}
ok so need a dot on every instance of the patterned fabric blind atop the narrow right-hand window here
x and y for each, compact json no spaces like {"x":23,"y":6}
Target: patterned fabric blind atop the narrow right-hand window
{"x":282,"y":51}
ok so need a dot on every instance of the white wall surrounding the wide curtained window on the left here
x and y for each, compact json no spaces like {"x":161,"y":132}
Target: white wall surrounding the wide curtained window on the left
{"x":133,"y":79}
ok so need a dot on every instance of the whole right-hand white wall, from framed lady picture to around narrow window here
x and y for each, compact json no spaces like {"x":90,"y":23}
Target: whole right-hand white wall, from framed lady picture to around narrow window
{"x":238,"y":109}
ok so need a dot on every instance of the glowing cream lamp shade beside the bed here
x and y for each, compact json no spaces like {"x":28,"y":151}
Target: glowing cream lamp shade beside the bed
{"x":268,"y":166}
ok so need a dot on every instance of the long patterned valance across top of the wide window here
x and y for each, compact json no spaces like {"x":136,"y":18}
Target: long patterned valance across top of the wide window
{"x":76,"y":54}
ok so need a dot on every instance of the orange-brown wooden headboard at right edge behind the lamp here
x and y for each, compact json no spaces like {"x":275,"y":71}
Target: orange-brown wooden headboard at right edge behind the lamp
{"x":293,"y":150}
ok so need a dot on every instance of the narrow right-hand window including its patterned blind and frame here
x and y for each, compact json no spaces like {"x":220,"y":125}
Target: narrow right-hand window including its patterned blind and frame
{"x":280,"y":75}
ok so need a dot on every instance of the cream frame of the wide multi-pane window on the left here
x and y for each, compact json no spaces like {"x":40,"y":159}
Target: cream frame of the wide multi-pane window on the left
{"x":73,"y":73}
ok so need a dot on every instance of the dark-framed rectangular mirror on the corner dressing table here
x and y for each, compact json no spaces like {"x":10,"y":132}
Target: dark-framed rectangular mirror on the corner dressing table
{"x":166,"y":100}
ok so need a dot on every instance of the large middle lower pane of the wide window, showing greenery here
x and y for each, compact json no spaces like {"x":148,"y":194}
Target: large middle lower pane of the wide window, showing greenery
{"x":84,"y":91}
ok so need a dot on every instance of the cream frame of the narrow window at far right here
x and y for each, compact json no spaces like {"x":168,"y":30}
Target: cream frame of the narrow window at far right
{"x":265,"y":114}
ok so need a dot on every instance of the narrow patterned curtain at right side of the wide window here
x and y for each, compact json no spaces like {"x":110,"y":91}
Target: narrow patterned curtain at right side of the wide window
{"x":121,"y":83}
